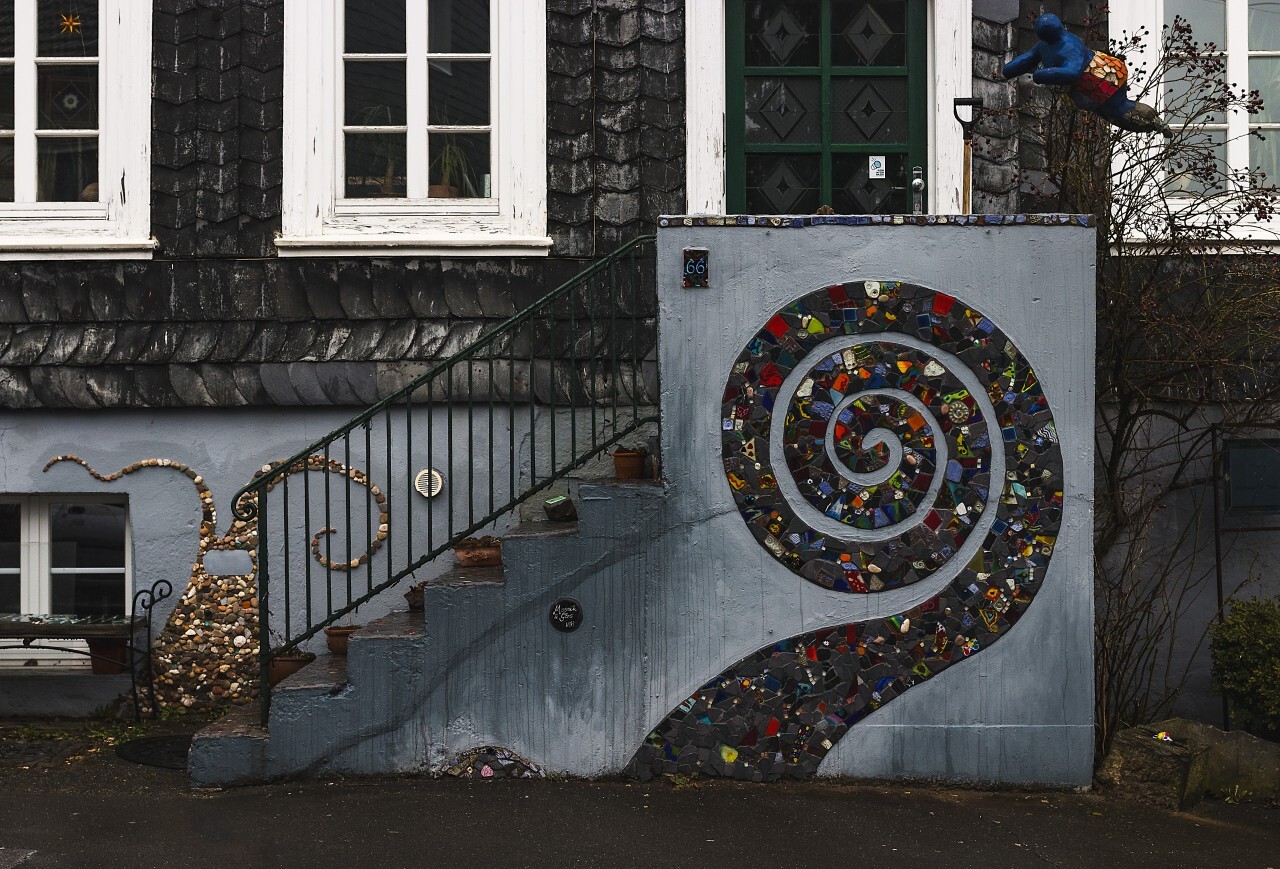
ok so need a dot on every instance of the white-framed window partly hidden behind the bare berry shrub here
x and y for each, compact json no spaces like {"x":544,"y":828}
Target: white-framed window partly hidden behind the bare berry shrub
{"x":1246,"y":35}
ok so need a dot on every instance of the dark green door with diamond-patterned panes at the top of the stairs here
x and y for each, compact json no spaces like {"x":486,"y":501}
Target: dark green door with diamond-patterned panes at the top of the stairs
{"x":826,"y":149}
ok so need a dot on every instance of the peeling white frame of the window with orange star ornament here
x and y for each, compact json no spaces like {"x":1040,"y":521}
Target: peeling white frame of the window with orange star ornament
{"x":120,"y":225}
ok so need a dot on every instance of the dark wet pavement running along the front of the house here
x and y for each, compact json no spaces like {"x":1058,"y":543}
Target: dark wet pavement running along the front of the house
{"x":70,"y":802}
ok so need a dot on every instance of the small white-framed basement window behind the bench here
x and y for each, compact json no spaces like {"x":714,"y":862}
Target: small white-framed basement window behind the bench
{"x":63,"y":555}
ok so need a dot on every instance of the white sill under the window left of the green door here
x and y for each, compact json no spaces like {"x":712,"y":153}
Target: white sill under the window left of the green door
{"x":413,"y":245}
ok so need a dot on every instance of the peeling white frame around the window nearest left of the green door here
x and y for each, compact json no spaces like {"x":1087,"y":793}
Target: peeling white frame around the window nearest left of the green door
{"x":318,"y":222}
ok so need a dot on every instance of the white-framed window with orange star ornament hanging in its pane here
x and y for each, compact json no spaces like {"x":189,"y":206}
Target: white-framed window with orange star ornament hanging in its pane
{"x":75,"y":129}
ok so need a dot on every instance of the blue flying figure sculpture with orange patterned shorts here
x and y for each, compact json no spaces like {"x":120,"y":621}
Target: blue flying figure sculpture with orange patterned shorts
{"x":1096,"y":81}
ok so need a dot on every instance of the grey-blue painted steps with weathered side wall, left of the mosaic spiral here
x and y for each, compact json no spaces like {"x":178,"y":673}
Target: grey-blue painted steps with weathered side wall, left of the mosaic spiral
{"x":419,"y":690}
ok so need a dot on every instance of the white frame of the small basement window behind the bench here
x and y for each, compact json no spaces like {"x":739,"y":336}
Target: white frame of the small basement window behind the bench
{"x":36,"y":573}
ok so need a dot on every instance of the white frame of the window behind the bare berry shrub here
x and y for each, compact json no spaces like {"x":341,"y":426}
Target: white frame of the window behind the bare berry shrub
{"x":1132,"y":16}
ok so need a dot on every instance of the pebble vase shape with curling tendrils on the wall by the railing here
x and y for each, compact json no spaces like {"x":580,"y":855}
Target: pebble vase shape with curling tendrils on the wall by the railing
{"x":208,"y":653}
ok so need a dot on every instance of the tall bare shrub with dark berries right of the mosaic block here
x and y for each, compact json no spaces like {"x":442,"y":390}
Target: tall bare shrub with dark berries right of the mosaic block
{"x":1187,"y":309}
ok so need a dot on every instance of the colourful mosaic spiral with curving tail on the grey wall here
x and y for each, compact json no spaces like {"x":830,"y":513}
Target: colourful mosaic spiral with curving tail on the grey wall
{"x":876,"y":434}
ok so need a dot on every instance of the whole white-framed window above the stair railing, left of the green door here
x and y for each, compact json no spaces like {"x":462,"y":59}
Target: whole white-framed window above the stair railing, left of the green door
{"x":415,"y":127}
